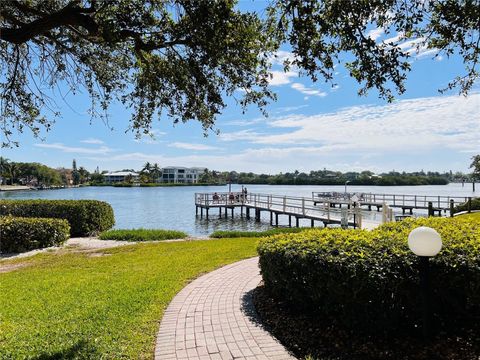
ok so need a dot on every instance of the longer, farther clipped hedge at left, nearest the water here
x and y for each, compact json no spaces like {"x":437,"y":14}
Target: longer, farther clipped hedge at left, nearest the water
{"x":86,"y":217}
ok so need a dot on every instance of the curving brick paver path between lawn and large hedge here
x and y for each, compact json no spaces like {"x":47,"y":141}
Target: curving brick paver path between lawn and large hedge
{"x":213,"y":318}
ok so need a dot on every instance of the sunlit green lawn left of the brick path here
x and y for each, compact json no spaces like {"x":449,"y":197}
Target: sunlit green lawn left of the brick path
{"x":75,"y":305}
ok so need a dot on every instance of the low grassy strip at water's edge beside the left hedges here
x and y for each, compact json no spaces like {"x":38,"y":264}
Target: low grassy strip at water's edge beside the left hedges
{"x":142,"y":235}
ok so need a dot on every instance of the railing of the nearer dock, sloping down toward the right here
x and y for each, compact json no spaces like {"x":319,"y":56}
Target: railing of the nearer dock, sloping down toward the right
{"x":289,"y":205}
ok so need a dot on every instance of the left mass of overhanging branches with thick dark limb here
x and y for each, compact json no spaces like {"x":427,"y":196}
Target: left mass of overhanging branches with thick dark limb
{"x":181,"y":58}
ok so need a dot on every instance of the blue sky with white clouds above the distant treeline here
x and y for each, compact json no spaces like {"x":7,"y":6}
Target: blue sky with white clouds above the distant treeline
{"x":311,"y":126}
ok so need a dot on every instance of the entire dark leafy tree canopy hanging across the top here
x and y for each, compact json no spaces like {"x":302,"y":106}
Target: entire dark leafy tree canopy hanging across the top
{"x":184,"y":58}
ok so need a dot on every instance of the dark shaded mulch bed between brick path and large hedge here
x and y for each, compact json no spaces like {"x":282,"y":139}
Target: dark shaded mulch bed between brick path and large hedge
{"x":307,"y":336}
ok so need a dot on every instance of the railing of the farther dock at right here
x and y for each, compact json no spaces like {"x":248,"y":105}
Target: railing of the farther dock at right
{"x":394,"y":200}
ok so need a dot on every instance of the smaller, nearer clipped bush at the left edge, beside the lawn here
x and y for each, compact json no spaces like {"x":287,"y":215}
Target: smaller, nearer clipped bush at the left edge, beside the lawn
{"x":20,"y":234}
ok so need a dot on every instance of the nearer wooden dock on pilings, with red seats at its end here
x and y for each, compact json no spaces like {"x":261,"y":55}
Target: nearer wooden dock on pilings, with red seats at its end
{"x":295,"y":208}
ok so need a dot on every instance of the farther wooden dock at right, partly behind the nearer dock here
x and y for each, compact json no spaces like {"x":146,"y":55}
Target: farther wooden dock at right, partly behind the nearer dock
{"x":408,"y":203}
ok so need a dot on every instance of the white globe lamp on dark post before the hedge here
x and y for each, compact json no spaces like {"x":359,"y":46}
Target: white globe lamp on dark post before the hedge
{"x":425,"y":242}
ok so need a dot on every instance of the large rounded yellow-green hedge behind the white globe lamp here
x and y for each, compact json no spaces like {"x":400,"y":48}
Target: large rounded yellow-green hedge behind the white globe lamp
{"x":368,"y":281}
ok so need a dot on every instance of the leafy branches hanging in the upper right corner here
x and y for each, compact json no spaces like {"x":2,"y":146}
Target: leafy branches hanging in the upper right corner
{"x":325,"y":33}
